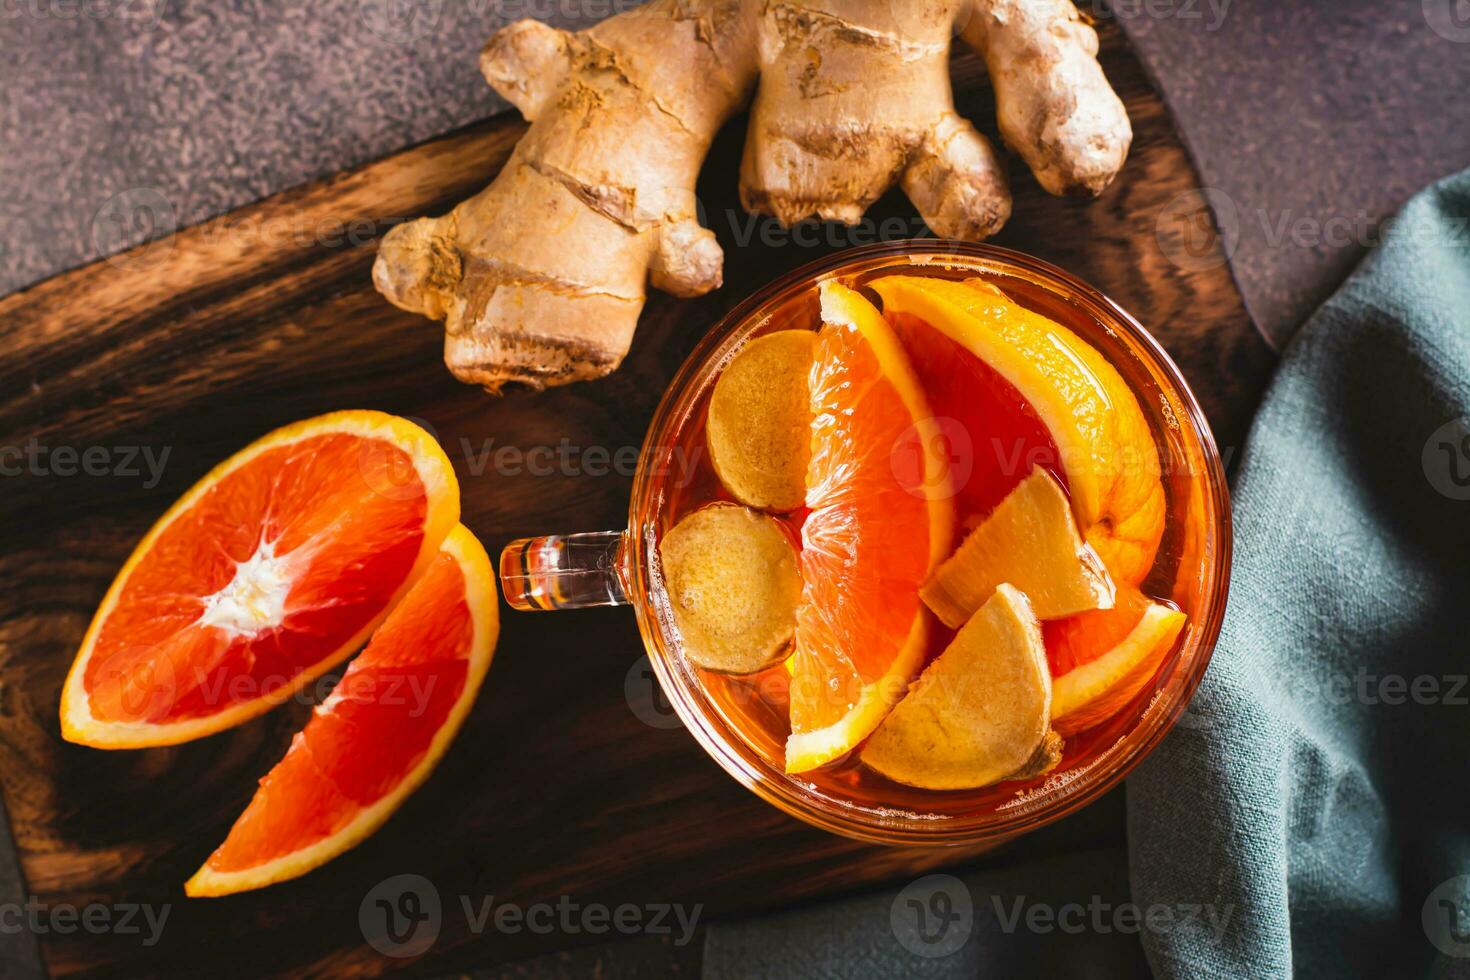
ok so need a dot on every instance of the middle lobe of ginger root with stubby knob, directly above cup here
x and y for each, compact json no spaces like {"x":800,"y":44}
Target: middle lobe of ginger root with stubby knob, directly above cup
{"x":856,"y":95}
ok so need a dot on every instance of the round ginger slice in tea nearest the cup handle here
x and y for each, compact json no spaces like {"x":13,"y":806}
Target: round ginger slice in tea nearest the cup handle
{"x":734,"y":586}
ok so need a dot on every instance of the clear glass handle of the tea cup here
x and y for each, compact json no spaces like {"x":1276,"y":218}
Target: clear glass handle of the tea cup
{"x":565,"y":572}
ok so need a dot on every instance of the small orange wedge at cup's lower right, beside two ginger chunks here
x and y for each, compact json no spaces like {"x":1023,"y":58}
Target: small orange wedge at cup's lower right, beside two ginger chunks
{"x":1102,"y":660}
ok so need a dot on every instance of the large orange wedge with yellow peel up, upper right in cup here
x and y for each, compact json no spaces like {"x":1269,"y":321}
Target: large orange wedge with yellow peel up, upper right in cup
{"x":1025,"y":390}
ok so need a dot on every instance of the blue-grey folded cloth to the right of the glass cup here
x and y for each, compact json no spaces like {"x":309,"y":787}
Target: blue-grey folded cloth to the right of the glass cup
{"x":1316,"y":793}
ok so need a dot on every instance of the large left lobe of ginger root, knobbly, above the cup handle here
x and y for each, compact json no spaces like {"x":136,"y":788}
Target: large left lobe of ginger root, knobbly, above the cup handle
{"x":540,"y":278}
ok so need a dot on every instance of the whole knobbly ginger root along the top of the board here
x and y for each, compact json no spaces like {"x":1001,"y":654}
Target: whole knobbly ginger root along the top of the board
{"x":540,"y":278}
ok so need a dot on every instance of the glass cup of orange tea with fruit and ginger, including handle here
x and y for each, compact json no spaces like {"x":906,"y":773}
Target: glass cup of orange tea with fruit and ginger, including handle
{"x":928,"y":544}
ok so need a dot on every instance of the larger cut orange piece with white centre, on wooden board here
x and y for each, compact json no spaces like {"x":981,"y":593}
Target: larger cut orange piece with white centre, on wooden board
{"x":268,"y":572}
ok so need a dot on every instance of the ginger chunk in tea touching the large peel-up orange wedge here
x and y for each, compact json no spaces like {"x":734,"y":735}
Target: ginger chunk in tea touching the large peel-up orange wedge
{"x":1030,"y":540}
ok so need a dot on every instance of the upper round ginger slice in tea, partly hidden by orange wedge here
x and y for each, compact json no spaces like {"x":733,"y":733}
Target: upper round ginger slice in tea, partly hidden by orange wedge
{"x":759,"y":427}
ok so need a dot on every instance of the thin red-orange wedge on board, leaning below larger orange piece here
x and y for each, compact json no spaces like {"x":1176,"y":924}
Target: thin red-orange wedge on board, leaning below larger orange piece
{"x":377,"y":737}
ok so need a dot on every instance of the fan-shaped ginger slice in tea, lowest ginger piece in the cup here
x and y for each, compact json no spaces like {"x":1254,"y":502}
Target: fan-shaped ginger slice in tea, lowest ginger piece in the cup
{"x":981,"y":713}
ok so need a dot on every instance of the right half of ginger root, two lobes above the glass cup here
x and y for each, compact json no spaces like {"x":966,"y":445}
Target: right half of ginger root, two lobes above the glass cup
{"x":855,"y":95}
